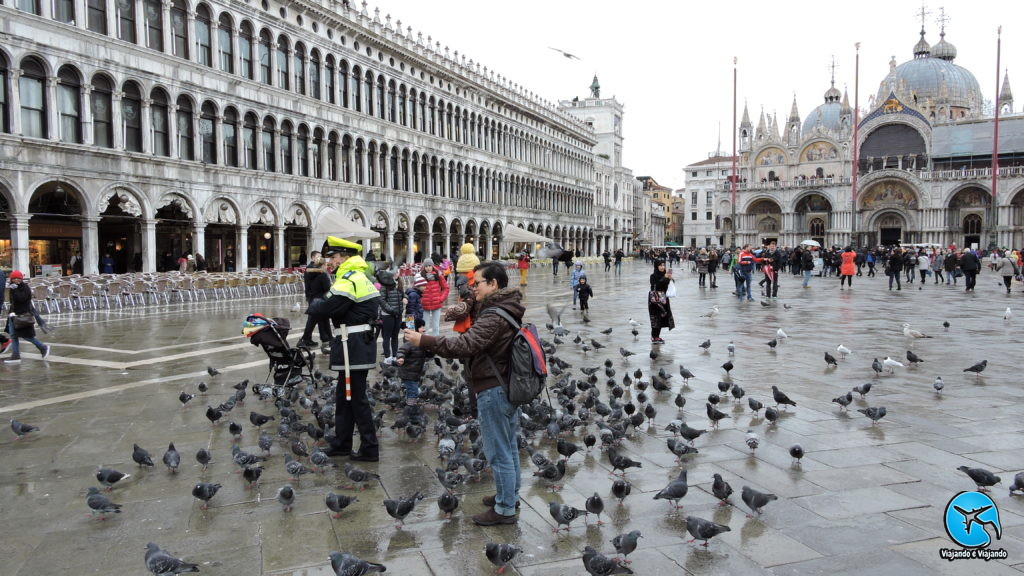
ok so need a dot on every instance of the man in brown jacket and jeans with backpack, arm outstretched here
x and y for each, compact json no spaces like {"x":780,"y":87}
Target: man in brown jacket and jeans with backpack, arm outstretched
{"x":490,"y":337}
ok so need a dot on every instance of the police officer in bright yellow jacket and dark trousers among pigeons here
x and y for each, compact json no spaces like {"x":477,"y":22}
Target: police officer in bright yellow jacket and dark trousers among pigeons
{"x":352,"y":303}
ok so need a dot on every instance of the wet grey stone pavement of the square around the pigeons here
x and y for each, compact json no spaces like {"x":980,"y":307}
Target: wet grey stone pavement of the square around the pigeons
{"x":867,"y":500}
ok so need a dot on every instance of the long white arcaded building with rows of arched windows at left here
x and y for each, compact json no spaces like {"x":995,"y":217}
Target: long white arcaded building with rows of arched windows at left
{"x":143,"y":129}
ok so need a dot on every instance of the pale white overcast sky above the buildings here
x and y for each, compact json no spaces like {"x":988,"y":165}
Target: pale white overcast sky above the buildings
{"x":671,"y":63}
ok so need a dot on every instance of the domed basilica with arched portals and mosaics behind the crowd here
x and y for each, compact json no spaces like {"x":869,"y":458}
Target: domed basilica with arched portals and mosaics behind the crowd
{"x":924,"y":171}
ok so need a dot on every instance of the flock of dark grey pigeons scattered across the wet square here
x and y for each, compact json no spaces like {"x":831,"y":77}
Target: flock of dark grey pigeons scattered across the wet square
{"x":580,"y":406}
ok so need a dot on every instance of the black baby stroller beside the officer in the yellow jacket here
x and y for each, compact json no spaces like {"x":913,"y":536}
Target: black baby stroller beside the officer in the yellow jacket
{"x":289,"y":366}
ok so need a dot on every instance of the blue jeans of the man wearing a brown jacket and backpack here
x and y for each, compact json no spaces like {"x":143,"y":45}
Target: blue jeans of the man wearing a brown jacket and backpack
{"x":500,"y":427}
